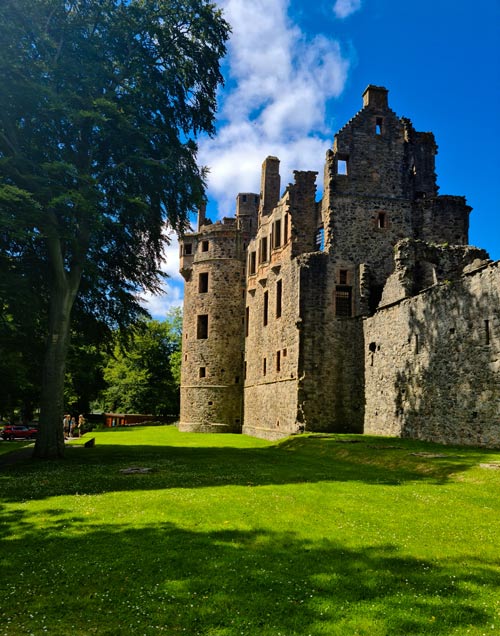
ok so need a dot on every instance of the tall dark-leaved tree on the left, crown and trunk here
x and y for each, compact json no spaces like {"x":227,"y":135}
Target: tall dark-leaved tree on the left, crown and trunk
{"x":100,"y":102}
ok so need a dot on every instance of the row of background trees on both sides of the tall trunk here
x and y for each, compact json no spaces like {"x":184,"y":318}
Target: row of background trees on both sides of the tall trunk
{"x":132,"y":370}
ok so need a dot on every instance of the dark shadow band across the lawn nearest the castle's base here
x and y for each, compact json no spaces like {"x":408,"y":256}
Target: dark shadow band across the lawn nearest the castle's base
{"x":294,"y":461}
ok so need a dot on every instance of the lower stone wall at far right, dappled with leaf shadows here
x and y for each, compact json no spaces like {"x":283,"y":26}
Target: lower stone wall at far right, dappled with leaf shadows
{"x":432,"y":363}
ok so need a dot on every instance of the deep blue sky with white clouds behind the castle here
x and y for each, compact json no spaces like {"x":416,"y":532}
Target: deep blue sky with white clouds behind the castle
{"x":295,"y":72}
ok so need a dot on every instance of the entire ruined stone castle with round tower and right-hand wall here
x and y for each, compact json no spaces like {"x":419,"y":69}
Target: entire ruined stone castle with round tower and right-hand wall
{"x":365,"y":311}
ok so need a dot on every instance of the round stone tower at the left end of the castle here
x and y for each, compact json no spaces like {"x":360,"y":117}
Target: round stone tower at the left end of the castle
{"x":213,"y":266}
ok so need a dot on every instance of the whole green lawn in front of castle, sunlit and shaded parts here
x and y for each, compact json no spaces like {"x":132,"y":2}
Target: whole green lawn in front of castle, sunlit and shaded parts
{"x":230,"y":535}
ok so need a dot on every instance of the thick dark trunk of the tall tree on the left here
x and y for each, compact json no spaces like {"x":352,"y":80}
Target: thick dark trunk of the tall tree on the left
{"x":50,"y":440}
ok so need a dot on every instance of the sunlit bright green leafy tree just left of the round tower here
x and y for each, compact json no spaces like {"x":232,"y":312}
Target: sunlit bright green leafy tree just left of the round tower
{"x":141,"y":376}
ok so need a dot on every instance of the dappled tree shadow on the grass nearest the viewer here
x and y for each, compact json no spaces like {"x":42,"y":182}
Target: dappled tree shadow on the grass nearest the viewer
{"x":114,"y":581}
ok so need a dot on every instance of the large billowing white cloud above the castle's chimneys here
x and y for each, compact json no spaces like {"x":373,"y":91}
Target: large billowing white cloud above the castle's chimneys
{"x":282,"y":81}
